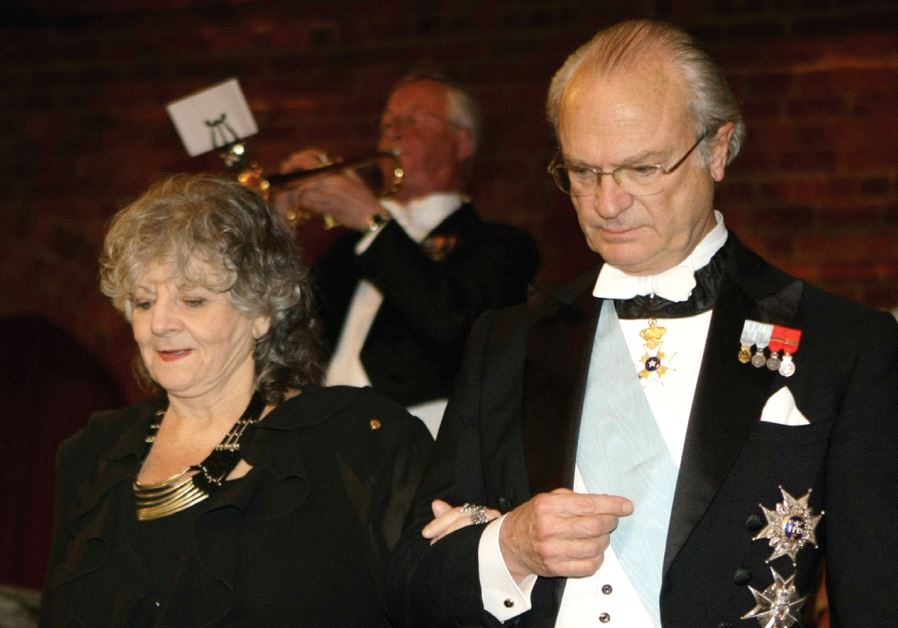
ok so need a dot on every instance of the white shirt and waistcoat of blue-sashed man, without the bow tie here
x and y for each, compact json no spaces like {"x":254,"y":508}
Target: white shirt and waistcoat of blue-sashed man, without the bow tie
{"x":609,"y":593}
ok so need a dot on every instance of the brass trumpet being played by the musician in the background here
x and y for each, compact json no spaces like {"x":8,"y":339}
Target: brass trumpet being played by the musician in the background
{"x":383,"y":182}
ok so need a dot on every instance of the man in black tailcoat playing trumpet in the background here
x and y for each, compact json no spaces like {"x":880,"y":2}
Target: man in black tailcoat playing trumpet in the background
{"x":399,"y":291}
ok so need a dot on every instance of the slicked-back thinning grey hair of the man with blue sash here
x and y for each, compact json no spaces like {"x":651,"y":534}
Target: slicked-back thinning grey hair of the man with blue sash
{"x":711,"y":103}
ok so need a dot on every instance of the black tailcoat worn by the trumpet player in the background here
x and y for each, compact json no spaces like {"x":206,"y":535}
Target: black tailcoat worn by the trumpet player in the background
{"x":433,"y":292}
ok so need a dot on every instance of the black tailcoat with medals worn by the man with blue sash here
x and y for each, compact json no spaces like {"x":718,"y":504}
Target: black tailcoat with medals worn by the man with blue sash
{"x":510,"y":431}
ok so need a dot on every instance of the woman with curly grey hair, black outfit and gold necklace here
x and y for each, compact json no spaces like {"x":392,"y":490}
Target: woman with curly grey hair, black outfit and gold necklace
{"x":242,"y":494}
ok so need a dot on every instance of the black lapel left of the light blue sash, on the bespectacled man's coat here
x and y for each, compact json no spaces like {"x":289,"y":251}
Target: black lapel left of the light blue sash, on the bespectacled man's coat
{"x":559,"y":346}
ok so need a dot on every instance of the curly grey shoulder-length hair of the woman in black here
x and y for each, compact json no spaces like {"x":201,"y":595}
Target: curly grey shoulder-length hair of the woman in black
{"x":204,"y":217}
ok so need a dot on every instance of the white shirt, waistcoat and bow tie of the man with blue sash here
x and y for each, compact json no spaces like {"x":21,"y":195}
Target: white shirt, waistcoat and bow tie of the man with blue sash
{"x":608,"y":597}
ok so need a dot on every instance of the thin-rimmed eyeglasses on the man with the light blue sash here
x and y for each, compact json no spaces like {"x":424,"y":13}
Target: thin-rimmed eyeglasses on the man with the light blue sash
{"x":638,"y":180}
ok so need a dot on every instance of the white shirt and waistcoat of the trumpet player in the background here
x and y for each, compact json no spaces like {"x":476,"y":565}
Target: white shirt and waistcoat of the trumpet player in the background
{"x":417,"y":218}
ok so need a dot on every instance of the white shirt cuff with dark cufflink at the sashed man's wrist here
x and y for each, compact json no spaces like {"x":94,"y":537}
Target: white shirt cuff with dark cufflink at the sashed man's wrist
{"x":502,"y":597}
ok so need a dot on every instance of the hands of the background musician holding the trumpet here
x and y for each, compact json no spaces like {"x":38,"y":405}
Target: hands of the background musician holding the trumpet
{"x":344,"y":196}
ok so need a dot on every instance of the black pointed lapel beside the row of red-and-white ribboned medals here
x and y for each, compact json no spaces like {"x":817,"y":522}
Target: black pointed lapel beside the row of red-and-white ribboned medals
{"x":730,"y":395}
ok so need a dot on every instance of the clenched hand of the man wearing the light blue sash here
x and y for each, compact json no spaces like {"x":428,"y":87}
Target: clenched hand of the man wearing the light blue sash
{"x":561,"y":533}
